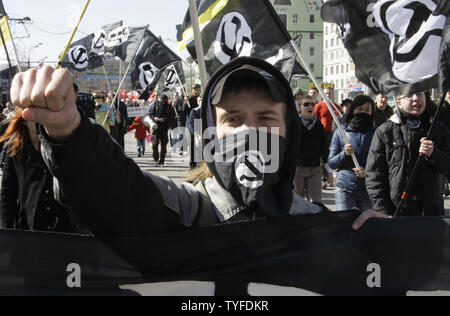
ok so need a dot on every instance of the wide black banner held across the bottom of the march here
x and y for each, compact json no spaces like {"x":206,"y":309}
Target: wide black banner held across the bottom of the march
{"x":301,"y":255}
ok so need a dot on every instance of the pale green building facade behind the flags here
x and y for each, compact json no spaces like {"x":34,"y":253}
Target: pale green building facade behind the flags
{"x":302,"y":17}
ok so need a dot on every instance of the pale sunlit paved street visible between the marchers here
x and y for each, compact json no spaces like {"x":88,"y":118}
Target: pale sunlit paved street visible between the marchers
{"x":177,"y":168}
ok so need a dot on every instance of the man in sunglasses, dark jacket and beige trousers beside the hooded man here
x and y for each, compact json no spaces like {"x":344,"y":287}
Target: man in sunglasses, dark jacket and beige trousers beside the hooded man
{"x":313,"y":148}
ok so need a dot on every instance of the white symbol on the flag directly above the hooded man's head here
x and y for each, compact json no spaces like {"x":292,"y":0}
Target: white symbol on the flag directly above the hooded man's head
{"x":234,"y":38}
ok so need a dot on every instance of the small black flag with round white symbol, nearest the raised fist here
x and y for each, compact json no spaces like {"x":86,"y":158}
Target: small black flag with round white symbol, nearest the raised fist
{"x":80,"y":57}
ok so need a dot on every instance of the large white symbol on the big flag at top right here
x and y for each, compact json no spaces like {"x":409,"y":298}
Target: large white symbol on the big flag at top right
{"x":415,"y":34}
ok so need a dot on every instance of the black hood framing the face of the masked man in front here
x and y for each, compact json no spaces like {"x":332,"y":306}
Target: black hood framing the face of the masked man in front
{"x":279,"y":89}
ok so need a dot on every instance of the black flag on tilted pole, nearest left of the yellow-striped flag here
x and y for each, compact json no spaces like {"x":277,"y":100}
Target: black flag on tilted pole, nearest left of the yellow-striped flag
{"x":151,"y":61}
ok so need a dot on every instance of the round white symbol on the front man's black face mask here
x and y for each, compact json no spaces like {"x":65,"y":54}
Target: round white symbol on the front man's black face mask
{"x":250,"y":167}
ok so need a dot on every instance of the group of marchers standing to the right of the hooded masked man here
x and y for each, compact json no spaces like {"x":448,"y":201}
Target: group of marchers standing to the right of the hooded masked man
{"x":386,"y":141}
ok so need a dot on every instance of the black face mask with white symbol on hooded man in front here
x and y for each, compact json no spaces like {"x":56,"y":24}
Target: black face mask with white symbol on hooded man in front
{"x":251,"y":172}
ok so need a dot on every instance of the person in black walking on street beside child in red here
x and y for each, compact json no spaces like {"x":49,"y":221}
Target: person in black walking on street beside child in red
{"x":162,"y":113}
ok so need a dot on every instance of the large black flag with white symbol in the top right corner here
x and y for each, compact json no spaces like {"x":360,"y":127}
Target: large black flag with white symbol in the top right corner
{"x":395,"y":44}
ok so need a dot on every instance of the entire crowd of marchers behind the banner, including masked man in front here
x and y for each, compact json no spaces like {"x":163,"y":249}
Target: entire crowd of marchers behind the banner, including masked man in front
{"x":48,"y":185}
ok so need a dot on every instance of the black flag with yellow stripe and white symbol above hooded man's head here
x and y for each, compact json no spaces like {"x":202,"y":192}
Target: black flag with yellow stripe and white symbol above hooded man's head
{"x":235,"y":28}
